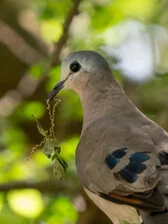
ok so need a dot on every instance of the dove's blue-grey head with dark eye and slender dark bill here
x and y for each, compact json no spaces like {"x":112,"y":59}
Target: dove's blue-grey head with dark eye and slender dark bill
{"x":81,"y":69}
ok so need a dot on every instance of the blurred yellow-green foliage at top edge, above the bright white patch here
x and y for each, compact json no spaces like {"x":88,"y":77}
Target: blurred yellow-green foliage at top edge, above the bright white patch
{"x":115,"y":11}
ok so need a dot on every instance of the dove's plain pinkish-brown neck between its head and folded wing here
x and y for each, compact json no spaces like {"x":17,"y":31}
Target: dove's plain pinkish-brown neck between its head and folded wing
{"x":102,"y":100}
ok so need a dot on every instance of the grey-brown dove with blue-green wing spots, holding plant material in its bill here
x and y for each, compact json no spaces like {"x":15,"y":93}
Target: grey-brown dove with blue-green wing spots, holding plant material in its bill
{"x":122,"y":156}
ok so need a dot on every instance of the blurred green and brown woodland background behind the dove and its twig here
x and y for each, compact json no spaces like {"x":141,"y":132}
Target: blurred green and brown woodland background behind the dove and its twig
{"x":35,"y":36}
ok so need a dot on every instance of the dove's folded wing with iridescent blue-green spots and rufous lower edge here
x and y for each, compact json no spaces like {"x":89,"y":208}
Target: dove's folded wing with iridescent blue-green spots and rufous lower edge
{"x":122,"y":166}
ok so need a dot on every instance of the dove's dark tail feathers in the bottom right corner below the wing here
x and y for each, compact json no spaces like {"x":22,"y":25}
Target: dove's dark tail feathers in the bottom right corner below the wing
{"x":156,"y":218}
